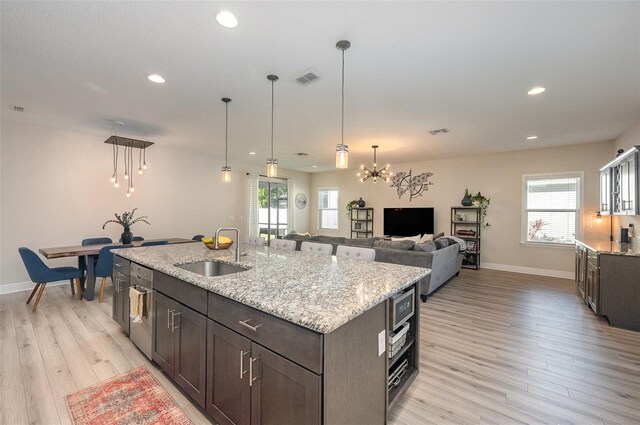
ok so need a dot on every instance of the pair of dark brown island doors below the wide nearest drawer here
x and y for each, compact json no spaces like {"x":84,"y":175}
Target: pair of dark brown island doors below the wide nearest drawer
{"x":246,"y":383}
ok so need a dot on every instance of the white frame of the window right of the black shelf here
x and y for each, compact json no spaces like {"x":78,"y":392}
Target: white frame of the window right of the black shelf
{"x":578,"y":211}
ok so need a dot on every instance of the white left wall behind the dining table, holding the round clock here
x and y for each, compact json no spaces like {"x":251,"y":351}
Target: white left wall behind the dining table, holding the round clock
{"x":55,"y":191}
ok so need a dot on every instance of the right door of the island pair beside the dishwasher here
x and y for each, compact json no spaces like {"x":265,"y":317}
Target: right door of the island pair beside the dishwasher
{"x":190,"y":333}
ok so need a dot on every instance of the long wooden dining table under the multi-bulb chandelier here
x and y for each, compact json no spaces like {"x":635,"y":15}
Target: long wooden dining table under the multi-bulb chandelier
{"x":87,"y":256}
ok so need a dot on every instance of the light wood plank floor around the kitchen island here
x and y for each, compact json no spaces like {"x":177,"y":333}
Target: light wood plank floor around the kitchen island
{"x":496,"y":348}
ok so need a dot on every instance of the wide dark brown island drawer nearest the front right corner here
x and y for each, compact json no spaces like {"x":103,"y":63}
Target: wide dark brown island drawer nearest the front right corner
{"x":303,"y":346}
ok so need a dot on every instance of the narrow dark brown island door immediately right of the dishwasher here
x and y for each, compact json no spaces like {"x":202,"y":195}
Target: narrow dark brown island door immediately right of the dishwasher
{"x":163,"y":337}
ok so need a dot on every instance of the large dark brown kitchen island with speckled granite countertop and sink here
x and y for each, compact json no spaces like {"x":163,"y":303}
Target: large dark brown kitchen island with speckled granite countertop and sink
{"x":290,"y":337}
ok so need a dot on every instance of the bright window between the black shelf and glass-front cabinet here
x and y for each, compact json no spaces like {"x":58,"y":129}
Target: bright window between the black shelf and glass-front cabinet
{"x":551,"y":210}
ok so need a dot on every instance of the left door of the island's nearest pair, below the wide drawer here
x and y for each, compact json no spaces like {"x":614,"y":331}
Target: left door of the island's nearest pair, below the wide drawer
{"x":228,"y":390}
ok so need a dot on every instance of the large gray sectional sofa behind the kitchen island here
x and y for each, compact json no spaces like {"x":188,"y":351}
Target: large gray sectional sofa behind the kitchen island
{"x":444,"y":262}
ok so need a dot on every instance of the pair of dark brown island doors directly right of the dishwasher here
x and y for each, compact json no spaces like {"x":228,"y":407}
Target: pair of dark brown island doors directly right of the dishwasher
{"x":179,"y":345}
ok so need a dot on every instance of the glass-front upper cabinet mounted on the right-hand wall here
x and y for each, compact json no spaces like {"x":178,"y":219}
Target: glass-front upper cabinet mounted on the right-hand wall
{"x":619,"y":185}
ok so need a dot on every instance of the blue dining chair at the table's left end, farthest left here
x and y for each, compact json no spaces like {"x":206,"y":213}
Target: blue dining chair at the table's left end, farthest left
{"x":41,"y":274}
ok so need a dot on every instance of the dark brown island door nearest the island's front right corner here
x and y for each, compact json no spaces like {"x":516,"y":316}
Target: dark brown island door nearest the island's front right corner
{"x":282,"y":392}
